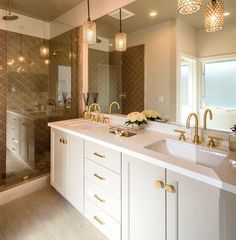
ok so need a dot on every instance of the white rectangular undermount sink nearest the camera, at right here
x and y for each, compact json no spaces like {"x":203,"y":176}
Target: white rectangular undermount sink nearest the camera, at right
{"x":189,"y":152}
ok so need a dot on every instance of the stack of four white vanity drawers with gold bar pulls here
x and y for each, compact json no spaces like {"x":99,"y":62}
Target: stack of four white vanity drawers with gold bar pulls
{"x":102,"y":197}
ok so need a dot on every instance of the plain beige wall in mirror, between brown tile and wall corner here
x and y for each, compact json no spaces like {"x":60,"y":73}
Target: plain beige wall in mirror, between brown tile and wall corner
{"x":160,"y":66}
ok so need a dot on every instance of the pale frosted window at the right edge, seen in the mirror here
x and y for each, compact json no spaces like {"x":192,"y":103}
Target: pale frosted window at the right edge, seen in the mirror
{"x":219,"y":84}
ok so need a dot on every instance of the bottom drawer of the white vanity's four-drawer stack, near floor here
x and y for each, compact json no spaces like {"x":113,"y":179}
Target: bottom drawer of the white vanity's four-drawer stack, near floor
{"x":108,"y":226}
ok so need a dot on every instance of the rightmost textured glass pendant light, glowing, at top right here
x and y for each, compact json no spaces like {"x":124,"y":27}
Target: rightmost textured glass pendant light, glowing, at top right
{"x":214,"y":16}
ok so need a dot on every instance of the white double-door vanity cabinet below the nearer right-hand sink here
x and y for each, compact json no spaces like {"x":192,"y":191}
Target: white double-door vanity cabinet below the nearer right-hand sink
{"x":191,"y":210}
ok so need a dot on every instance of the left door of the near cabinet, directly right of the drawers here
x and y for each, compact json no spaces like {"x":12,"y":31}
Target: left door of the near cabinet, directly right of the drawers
{"x":143,"y":203}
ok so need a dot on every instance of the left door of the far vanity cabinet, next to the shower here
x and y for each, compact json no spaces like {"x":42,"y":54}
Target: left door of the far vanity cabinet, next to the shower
{"x":59,"y":161}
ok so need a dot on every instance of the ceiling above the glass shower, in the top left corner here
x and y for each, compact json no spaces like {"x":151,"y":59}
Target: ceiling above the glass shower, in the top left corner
{"x":43,"y":9}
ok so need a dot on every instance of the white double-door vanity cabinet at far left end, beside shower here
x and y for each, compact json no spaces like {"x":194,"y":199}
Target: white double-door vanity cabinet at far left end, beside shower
{"x":67,"y":167}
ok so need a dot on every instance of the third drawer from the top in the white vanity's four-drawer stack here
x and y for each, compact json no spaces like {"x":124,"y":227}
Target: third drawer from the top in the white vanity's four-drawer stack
{"x":103,"y":199}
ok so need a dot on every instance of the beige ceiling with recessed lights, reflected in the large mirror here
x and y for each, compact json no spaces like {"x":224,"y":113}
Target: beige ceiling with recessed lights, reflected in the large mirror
{"x":166,"y":9}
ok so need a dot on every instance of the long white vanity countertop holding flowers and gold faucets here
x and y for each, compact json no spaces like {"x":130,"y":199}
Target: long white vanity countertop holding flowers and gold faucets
{"x":223,"y":176}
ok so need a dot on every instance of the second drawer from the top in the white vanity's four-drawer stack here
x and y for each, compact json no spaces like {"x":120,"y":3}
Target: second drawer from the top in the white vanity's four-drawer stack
{"x":103,"y":177}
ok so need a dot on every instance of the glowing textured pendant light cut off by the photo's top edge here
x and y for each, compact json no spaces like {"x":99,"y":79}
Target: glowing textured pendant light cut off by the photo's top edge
{"x":189,"y":6}
